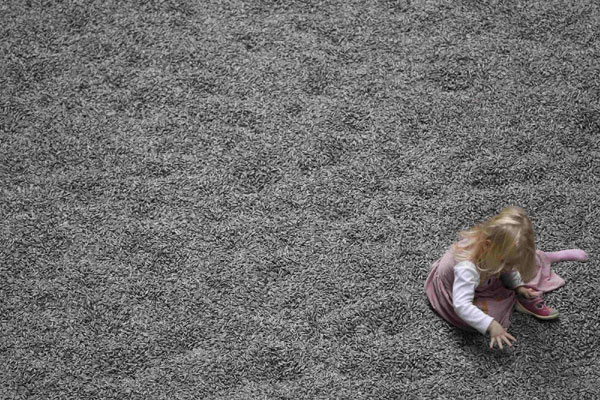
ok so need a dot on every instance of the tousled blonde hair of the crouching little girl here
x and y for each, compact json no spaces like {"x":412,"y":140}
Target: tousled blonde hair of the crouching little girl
{"x":502,"y":243}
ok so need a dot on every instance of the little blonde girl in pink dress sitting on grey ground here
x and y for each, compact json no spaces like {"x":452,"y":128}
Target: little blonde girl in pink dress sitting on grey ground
{"x":491,"y":269}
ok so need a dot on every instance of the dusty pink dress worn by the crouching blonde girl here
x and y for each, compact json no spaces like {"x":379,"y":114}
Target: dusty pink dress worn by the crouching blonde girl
{"x":491,"y":296}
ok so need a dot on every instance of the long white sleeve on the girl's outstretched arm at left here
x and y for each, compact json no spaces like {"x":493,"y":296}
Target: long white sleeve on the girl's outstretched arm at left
{"x":466,"y":279}
